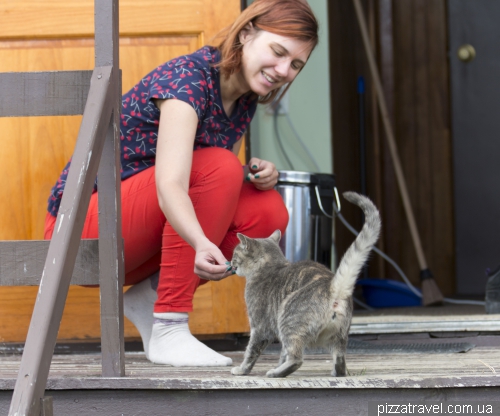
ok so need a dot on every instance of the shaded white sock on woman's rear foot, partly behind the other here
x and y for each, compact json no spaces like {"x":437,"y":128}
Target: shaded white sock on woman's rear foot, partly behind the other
{"x":138,"y":304}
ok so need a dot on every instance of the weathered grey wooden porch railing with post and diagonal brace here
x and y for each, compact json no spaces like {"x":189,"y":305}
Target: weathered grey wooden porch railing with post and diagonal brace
{"x":96,"y":94}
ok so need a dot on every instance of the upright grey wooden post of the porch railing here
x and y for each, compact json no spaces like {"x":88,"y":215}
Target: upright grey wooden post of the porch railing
{"x":111,"y":264}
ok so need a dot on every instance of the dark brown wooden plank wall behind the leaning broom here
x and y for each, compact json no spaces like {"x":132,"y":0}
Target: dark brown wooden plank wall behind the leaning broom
{"x":410,"y":40}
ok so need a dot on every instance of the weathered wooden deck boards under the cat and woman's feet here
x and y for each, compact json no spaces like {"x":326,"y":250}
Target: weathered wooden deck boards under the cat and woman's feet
{"x":479,"y":367}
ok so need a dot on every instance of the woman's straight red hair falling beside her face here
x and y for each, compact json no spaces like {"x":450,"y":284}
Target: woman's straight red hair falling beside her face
{"x":289,"y":18}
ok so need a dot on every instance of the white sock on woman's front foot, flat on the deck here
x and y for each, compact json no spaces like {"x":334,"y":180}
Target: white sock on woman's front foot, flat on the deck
{"x":172,"y":343}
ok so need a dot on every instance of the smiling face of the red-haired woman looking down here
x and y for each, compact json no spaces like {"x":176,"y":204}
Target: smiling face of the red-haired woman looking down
{"x":269,"y":61}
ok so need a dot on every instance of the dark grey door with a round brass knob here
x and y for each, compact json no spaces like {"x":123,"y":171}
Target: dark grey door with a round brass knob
{"x":475,"y":103}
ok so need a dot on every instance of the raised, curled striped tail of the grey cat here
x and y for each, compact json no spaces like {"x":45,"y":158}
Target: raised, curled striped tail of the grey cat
{"x":356,"y":255}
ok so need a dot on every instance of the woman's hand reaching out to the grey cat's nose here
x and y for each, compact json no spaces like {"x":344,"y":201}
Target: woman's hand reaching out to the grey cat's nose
{"x":210,"y":263}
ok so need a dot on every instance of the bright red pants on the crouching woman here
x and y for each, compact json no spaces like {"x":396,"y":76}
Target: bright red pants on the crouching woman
{"x":224,"y":206}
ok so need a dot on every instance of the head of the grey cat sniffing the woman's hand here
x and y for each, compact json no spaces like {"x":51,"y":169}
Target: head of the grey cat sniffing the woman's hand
{"x":253,"y":254}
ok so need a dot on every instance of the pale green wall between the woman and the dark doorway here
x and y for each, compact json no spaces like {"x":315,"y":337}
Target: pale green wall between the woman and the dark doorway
{"x":309,"y":111}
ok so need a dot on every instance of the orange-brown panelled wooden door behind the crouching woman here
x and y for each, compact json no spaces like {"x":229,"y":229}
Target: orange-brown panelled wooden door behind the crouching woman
{"x":58,"y":35}
